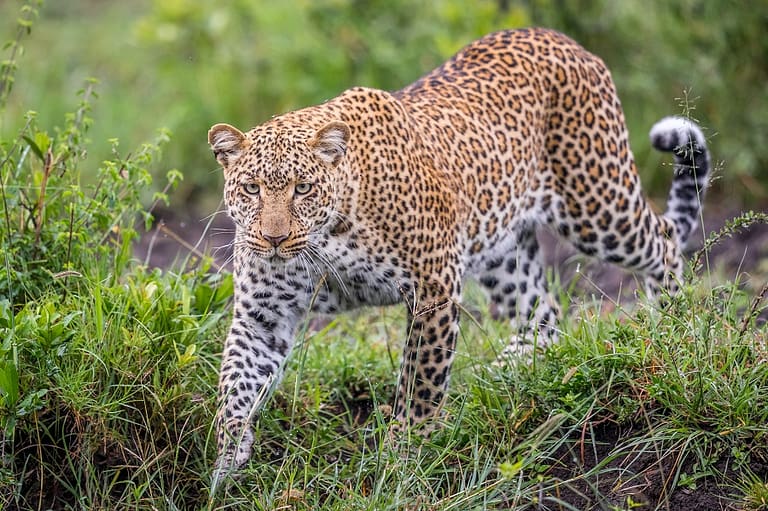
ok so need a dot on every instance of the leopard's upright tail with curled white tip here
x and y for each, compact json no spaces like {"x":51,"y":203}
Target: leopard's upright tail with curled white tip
{"x":684,"y":138}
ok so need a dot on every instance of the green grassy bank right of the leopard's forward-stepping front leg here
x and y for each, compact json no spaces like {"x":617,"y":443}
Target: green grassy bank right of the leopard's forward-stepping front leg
{"x":685,"y":387}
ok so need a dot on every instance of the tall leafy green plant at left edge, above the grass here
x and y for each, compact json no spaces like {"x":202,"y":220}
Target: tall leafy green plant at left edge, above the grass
{"x":56,"y":227}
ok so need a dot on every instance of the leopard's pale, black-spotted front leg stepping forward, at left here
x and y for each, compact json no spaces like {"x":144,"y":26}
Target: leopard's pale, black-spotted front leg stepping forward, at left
{"x":266,"y":314}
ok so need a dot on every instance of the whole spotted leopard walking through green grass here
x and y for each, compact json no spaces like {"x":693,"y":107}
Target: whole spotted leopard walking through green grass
{"x":376,"y":198}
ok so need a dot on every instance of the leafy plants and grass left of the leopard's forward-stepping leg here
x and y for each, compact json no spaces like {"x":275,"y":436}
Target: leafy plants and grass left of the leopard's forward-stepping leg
{"x":100,"y":392}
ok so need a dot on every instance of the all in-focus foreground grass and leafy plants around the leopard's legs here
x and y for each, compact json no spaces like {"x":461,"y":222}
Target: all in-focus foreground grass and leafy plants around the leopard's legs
{"x":108,"y":372}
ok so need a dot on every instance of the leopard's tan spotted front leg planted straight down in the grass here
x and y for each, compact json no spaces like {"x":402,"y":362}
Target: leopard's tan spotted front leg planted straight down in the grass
{"x":427,"y":357}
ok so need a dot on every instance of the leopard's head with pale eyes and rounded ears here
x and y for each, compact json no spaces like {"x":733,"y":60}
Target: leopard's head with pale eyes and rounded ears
{"x":280,"y":184}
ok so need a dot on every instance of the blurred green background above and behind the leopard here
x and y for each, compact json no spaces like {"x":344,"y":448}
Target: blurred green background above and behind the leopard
{"x":187,"y":64}
